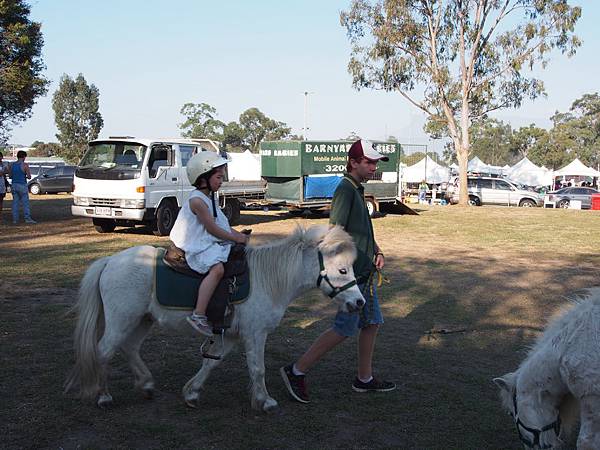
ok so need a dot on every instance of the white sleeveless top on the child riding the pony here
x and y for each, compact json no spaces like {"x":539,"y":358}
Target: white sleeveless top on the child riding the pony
{"x":202,"y":249}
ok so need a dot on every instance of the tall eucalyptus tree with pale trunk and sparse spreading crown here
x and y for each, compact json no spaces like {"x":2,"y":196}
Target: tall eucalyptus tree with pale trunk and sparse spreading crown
{"x":457,"y":60}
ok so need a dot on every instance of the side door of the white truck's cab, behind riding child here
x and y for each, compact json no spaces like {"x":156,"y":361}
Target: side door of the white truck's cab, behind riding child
{"x":163,"y":175}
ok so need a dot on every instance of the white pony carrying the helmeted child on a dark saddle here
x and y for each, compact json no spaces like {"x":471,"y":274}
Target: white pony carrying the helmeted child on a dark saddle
{"x":118,"y":291}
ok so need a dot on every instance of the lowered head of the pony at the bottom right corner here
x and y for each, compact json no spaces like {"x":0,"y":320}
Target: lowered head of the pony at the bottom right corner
{"x":534,"y":411}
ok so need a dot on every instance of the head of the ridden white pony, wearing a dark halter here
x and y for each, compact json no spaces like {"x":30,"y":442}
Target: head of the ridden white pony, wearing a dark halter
{"x":337,"y":253}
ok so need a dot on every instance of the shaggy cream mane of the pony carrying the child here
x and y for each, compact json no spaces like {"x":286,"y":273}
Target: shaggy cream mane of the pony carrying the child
{"x":276,"y":265}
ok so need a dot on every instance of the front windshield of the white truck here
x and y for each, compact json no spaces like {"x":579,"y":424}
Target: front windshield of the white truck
{"x":108,"y":155}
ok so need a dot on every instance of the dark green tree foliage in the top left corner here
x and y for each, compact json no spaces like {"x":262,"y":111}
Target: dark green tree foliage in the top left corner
{"x":21,"y":64}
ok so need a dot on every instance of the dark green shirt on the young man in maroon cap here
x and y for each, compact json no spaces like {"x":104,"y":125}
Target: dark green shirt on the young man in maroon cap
{"x":348,"y":209}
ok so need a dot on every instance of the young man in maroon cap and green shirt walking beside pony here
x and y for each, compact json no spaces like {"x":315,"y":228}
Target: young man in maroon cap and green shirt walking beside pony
{"x":348,"y":209}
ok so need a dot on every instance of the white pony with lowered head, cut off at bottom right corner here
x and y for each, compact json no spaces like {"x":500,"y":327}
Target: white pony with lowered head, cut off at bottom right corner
{"x":559,"y":381}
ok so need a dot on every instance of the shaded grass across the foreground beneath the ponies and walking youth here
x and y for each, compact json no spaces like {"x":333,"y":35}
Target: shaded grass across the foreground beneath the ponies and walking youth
{"x":445,"y":398}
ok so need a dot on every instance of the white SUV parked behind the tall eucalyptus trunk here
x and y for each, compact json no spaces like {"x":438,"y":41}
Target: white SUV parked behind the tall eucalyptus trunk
{"x":495,"y":191}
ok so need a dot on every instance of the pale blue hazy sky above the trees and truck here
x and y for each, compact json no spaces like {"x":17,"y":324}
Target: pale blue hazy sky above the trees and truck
{"x":150,"y":57}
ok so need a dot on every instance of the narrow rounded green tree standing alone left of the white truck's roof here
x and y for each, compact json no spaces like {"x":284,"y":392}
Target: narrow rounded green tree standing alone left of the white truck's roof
{"x":75,"y":105}
